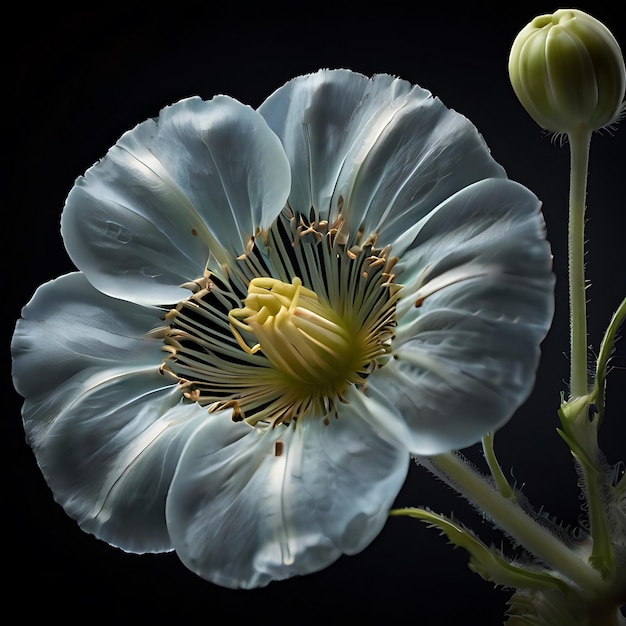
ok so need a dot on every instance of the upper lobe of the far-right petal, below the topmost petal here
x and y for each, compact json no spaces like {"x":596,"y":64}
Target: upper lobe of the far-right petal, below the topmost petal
{"x":484,"y":251}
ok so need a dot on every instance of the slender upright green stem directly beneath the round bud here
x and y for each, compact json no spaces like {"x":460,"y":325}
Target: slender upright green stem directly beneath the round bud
{"x":579,"y":140}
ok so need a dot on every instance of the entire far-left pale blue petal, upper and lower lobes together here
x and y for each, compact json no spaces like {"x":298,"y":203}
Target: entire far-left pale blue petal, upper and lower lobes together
{"x":105,"y":426}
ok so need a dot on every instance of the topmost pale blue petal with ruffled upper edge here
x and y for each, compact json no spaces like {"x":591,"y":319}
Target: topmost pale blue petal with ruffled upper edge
{"x":379,"y":151}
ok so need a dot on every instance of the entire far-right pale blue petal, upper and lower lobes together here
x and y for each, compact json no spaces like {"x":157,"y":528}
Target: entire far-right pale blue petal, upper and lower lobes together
{"x":466,"y":357}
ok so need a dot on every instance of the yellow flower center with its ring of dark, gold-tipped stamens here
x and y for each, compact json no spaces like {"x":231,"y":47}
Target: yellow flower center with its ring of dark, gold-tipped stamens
{"x":284,"y":334}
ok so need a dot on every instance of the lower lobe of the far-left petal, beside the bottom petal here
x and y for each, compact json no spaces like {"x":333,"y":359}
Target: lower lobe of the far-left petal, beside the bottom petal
{"x":109,"y":455}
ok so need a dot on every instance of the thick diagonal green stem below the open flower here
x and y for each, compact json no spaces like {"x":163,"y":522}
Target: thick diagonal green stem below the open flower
{"x":512,"y":519}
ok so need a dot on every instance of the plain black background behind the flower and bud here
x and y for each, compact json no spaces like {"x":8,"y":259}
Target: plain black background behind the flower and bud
{"x":77,"y":78}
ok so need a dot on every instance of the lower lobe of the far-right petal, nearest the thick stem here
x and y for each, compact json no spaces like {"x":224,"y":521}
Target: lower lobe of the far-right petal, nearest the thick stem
{"x":459,"y":379}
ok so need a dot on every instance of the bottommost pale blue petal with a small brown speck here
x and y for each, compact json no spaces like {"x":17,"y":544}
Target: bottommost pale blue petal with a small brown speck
{"x":248,"y":508}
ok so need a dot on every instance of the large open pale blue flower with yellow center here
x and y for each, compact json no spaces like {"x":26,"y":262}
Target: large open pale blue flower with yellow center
{"x":273,"y":310}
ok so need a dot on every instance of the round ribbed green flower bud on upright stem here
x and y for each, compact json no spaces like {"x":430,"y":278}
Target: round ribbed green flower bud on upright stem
{"x":567,"y":70}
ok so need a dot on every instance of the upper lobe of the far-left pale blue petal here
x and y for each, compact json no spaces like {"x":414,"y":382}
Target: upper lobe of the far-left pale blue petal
{"x":69,"y":331}
